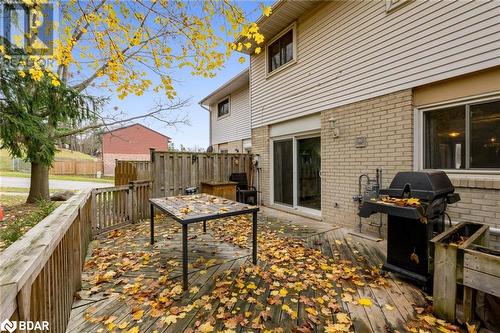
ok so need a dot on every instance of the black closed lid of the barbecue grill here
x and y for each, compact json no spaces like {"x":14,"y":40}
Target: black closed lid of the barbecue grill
{"x":425,"y":185}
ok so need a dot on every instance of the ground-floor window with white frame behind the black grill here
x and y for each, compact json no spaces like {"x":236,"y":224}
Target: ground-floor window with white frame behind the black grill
{"x":463,"y":137}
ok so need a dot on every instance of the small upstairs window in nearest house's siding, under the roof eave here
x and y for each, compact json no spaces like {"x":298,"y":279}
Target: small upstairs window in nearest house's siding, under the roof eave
{"x":281,"y":50}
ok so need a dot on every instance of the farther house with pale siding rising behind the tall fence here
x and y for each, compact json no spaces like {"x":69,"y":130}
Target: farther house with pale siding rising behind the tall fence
{"x":229,"y":108}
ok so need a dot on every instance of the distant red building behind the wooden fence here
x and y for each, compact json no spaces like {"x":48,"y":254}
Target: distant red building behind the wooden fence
{"x":130,"y":143}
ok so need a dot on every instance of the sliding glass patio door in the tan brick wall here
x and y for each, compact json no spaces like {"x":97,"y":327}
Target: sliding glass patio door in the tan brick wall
{"x":297,"y":172}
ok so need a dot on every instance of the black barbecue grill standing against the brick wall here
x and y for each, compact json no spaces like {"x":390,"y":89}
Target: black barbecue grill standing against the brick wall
{"x":409,"y":229}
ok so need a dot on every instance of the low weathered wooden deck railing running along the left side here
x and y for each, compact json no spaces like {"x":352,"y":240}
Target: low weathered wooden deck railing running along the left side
{"x":40,"y":273}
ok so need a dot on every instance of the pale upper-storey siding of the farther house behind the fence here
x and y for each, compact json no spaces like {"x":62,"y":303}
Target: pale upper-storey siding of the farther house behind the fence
{"x":236,"y":125}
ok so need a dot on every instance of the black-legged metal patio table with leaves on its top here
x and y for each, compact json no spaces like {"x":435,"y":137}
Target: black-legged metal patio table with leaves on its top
{"x":201,"y":208}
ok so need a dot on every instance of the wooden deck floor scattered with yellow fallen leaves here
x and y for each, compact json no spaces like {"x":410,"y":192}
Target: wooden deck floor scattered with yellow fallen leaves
{"x":131,"y":287}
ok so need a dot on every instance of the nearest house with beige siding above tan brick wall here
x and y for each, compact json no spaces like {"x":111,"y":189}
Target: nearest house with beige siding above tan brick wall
{"x":406,"y":85}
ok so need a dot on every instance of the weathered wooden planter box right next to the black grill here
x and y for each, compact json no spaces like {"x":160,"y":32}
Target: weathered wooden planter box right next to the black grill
{"x":449,"y":264}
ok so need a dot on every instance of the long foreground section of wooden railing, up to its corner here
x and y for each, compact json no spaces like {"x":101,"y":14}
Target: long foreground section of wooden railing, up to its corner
{"x":41,"y":272}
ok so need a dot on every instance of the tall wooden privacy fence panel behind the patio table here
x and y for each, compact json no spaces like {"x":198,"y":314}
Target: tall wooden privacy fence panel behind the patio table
{"x":172,"y":172}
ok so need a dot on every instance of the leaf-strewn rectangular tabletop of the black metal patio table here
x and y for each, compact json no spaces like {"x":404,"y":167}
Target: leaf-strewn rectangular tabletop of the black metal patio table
{"x":199,"y":207}
